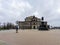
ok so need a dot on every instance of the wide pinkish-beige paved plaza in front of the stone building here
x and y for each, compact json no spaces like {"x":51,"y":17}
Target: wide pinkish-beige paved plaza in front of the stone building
{"x":30,"y":37}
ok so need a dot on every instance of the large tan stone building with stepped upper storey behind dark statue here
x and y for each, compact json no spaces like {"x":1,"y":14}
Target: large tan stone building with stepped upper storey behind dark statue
{"x":30,"y":22}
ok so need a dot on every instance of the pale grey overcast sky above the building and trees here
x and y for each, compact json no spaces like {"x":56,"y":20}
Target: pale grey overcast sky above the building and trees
{"x":13,"y":10}
